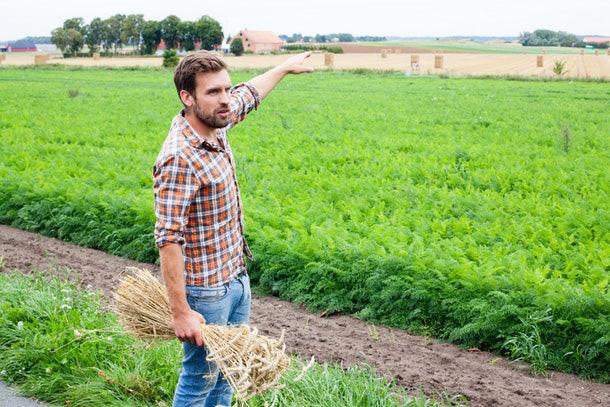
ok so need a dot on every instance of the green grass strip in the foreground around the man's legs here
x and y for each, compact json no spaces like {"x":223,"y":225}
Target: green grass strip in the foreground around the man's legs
{"x":57,"y":344}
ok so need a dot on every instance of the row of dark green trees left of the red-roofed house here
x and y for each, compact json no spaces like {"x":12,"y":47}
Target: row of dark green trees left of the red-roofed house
{"x":132,"y":30}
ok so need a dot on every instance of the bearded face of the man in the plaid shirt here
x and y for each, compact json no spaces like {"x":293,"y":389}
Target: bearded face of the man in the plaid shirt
{"x":211,"y":98}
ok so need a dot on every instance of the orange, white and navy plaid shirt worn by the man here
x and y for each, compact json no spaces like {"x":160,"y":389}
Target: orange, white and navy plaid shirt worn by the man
{"x":197,"y":200}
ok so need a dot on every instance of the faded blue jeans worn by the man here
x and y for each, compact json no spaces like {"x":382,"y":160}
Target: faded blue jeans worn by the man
{"x":200,"y":382}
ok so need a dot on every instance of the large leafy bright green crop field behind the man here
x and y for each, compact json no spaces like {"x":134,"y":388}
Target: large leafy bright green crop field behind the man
{"x":467,"y":209}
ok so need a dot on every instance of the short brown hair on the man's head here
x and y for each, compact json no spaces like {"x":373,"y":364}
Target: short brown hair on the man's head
{"x":186,"y":72}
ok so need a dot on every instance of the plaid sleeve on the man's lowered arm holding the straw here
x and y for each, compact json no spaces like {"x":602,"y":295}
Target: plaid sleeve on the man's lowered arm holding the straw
{"x":175,"y":185}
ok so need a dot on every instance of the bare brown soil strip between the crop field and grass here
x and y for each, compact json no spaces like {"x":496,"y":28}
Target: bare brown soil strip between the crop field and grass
{"x":416,"y":362}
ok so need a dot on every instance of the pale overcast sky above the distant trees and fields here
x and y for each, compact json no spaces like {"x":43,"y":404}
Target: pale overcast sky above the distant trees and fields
{"x":372,"y":17}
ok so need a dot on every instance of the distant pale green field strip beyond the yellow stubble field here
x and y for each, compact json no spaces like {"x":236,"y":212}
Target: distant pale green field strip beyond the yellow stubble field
{"x":490,"y":47}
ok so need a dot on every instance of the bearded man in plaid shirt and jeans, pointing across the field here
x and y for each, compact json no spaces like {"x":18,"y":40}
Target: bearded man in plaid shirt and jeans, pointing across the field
{"x":199,"y":219}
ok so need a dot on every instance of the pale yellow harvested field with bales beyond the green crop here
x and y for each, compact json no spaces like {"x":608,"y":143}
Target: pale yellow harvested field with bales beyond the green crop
{"x":578,"y":66}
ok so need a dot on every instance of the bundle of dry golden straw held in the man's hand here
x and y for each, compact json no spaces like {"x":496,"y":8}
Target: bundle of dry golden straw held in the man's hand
{"x":250,"y":362}
